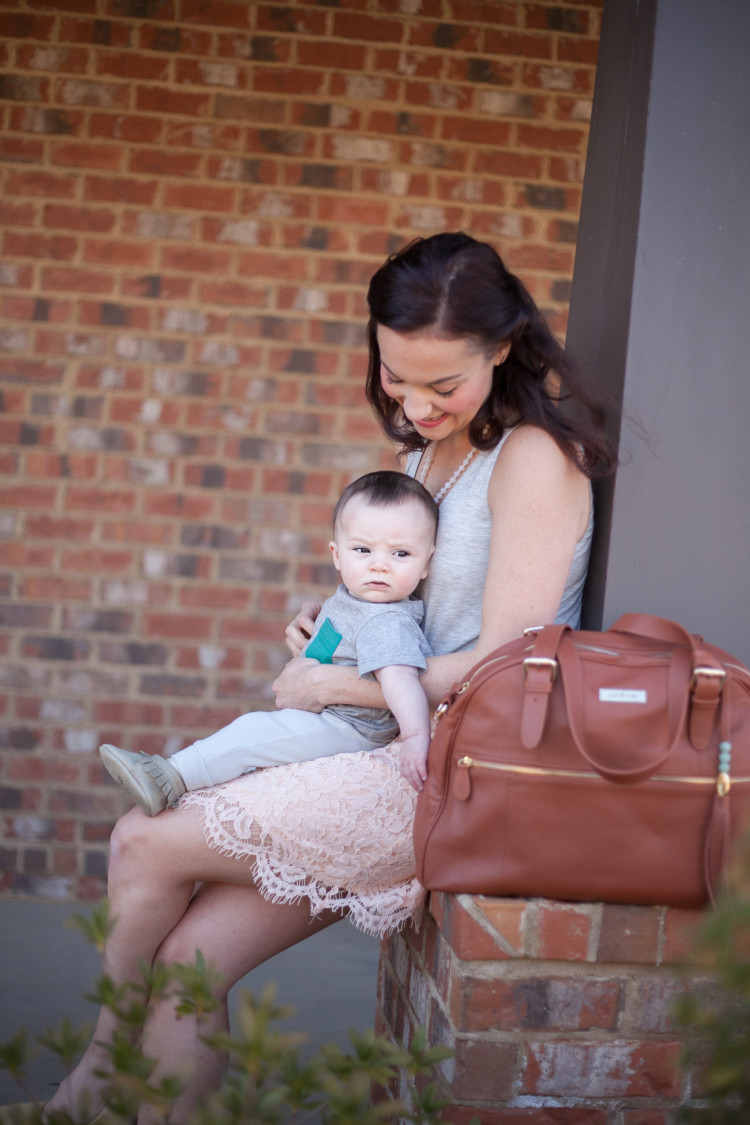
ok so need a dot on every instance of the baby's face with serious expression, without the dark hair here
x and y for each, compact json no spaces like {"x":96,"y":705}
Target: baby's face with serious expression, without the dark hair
{"x":383,"y":553}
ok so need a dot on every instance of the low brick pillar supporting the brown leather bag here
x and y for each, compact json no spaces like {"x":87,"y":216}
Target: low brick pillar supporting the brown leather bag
{"x":559,"y":1014}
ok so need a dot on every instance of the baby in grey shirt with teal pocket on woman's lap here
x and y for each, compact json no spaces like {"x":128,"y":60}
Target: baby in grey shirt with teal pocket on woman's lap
{"x":384,"y":536}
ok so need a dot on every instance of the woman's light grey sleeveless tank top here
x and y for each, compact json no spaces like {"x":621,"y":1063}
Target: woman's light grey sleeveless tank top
{"x":456,"y":583}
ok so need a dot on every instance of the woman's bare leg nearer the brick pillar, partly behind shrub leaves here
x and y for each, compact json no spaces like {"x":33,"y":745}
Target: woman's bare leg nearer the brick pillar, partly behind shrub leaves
{"x":237,"y":930}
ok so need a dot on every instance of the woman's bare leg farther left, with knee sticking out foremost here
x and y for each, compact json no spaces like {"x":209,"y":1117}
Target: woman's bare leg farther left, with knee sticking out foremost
{"x":155,"y":866}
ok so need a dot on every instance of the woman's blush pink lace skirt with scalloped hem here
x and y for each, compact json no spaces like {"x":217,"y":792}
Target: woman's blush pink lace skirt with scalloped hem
{"x":337,"y":831}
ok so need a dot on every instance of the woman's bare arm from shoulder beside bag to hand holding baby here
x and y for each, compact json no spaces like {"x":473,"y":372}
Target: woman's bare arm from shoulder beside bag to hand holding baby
{"x":540,"y":505}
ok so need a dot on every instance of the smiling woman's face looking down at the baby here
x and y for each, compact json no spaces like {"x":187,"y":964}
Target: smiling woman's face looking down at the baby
{"x":439,"y":384}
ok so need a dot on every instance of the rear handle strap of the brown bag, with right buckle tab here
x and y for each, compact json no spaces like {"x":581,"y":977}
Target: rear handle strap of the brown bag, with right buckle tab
{"x":708,"y":674}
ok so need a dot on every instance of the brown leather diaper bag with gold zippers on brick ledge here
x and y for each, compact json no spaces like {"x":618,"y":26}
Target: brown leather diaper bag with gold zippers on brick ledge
{"x":590,"y":767}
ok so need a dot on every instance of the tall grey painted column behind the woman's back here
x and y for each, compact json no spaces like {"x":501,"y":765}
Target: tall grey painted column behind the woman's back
{"x":661,"y":313}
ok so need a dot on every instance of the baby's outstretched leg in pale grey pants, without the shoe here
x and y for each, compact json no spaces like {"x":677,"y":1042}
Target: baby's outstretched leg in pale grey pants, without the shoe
{"x":266,"y":739}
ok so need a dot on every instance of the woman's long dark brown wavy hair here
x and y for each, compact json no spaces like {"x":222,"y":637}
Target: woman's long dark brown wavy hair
{"x":459,"y":289}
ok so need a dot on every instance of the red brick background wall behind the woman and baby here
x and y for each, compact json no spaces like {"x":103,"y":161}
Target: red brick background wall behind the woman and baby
{"x":194,"y":195}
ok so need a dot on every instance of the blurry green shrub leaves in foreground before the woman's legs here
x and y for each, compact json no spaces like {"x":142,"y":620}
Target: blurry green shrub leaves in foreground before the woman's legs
{"x":269,"y":1081}
